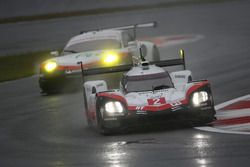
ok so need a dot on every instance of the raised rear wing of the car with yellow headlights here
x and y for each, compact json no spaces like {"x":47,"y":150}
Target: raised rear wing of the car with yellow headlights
{"x":127,"y":27}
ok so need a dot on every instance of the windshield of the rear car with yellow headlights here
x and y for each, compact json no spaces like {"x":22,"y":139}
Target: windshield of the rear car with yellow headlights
{"x":100,"y":44}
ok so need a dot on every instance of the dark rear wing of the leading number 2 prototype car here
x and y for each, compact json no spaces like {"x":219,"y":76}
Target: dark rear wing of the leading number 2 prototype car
{"x":124,"y":68}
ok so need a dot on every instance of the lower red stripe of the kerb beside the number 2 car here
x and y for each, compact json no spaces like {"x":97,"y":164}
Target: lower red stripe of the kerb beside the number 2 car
{"x":233,"y":121}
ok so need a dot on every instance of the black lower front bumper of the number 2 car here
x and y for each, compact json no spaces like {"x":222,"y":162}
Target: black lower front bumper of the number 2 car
{"x":144,"y":118}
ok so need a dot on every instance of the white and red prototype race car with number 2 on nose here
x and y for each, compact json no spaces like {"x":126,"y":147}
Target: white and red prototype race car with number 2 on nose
{"x":147,"y":93}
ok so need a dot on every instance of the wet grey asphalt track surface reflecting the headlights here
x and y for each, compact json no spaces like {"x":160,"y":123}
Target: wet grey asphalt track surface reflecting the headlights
{"x":50,"y":130}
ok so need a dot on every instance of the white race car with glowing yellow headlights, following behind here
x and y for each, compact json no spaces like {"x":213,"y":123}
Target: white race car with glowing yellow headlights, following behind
{"x":99,"y":48}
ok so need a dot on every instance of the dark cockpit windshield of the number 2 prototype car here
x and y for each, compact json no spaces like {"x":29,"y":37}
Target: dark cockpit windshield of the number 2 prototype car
{"x":148,"y":82}
